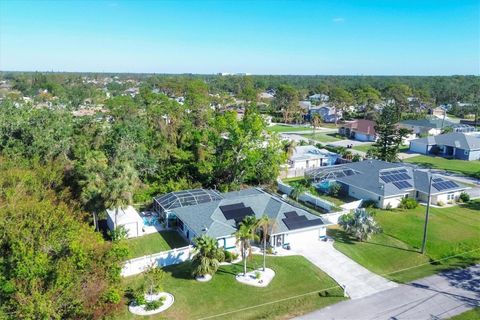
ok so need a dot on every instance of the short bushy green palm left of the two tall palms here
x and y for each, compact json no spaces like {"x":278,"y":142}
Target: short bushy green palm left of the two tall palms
{"x":207,"y":256}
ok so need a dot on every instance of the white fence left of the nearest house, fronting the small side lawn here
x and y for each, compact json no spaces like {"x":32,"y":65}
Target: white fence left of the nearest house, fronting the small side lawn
{"x":161,"y":259}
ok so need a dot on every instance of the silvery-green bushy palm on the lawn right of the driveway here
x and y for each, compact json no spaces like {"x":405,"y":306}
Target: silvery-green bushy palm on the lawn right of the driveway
{"x":360,"y":224}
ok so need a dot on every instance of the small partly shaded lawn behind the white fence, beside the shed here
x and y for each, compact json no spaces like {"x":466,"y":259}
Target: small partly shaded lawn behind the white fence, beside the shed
{"x":155,"y":242}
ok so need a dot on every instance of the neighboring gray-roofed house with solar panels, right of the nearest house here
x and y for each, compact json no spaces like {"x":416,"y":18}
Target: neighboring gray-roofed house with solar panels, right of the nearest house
{"x":385,"y":183}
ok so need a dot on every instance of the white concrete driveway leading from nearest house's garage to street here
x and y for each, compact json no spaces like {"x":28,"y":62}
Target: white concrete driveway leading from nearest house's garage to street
{"x":359,"y":281}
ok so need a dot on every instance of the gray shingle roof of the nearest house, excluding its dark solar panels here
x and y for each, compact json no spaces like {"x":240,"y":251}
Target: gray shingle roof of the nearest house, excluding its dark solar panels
{"x":207,"y":218}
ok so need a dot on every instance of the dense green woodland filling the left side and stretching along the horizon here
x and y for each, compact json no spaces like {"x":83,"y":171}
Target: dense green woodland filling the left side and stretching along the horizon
{"x":58,"y":171}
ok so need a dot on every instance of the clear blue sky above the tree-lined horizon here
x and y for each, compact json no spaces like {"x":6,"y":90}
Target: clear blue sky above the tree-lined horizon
{"x":259,"y":37}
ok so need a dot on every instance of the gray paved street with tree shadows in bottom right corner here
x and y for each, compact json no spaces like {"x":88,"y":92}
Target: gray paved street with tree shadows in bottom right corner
{"x":436,"y":297}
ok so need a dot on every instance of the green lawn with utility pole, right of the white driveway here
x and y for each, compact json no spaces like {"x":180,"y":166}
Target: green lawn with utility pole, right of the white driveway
{"x":451,"y":231}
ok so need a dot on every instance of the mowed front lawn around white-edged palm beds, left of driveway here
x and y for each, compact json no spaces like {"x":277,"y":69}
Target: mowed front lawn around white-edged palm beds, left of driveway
{"x":294,"y":276}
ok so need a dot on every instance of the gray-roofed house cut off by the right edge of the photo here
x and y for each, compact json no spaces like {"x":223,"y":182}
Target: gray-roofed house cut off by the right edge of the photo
{"x":456,"y":145}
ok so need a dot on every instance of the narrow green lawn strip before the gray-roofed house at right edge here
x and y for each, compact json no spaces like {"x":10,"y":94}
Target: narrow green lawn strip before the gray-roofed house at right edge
{"x":469,"y":168}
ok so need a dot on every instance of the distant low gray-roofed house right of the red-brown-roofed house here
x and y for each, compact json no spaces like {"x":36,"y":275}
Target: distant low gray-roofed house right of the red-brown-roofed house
{"x":433,"y":126}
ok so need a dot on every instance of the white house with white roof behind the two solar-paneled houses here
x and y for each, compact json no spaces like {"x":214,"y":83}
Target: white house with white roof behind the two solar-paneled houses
{"x":309,"y":157}
